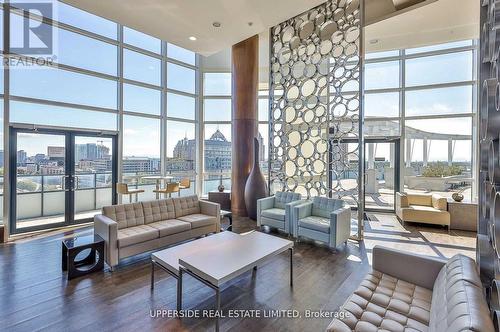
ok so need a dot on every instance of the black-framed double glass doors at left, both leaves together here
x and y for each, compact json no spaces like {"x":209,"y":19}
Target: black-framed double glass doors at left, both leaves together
{"x":59,"y":178}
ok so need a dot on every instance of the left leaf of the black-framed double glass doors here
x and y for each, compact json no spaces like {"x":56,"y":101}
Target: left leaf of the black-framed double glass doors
{"x":40,"y":182}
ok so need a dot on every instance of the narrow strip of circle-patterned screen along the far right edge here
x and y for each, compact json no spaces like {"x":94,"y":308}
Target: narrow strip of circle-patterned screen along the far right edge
{"x":488,"y":239}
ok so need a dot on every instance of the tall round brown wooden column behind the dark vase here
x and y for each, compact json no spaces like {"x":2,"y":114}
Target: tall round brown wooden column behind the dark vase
{"x":245,"y":70}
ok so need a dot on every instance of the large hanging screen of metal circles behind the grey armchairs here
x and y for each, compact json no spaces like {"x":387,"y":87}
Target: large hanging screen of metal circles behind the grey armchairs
{"x":314,"y":92}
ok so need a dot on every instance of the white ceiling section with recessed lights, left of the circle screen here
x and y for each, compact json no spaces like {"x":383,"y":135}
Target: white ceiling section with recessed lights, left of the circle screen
{"x":177,"y":20}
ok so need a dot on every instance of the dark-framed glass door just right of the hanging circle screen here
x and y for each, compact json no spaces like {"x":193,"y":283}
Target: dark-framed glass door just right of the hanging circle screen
{"x":381,"y":174}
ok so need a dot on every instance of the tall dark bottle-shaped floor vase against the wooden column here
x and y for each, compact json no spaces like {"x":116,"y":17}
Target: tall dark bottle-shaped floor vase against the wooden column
{"x":256,"y":186}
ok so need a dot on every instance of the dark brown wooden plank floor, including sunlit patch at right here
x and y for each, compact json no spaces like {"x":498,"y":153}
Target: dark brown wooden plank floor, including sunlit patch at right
{"x":35,"y":294}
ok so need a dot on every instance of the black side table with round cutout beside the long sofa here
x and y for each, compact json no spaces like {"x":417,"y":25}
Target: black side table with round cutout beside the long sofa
{"x":92,"y":263}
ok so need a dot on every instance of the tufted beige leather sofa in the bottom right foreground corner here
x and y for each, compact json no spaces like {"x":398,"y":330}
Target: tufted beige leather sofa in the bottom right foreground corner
{"x":408,"y":292}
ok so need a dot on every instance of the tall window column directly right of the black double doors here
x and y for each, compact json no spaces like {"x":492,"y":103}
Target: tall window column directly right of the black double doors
{"x":142,"y":92}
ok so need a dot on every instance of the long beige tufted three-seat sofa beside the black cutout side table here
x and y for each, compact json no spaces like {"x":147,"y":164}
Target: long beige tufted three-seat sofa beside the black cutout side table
{"x":130,"y":229}
